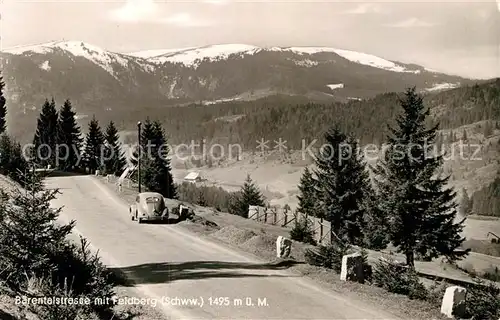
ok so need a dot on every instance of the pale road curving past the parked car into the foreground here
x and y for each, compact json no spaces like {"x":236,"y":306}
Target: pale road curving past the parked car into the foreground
{"x":167,"y":263}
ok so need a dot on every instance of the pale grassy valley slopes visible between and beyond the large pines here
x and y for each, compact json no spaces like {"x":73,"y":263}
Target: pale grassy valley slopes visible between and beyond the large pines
{"x":278,"y":175}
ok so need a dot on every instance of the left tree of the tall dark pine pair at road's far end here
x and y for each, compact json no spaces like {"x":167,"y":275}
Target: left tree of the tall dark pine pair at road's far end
{"x":45,"y":139}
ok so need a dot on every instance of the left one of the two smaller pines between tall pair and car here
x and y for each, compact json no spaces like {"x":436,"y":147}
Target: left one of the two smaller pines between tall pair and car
{"x":94,"y":146}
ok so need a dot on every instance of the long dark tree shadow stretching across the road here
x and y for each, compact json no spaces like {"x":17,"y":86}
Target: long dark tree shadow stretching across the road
{"x":152,"y":273}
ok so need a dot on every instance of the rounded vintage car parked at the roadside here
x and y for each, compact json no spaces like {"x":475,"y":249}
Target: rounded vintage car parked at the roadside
{"x":149,"y":206}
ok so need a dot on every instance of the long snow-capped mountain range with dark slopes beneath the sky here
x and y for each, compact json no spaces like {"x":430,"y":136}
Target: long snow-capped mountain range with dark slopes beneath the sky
{"x":97,"y":80}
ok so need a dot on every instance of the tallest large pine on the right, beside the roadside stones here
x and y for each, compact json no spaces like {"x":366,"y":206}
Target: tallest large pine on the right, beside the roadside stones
{"x":420,"y":208}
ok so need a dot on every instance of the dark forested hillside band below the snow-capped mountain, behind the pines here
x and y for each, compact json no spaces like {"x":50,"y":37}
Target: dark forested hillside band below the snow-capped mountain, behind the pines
{"x":293,"y":119}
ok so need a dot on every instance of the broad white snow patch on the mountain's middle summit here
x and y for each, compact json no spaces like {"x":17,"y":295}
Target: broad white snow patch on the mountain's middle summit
{"x":192,"y":57}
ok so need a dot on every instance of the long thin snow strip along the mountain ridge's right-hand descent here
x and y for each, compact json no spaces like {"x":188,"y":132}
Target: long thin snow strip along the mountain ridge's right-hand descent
{"x":353,"y":56}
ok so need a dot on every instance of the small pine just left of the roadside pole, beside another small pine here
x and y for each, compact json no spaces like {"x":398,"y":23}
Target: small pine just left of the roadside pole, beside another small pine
{"x":114,"y":157}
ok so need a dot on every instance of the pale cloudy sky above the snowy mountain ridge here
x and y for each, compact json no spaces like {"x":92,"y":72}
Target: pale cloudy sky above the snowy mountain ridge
{"x":458,"y":37}
